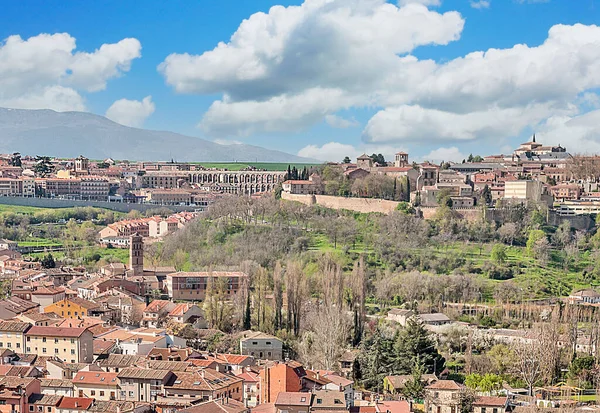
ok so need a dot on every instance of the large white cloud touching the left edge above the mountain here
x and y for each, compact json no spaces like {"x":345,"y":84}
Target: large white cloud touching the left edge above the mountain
{"x":45,"y":71}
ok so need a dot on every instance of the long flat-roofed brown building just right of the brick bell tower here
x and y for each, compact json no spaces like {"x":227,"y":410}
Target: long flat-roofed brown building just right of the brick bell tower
{"x":193,"y":285}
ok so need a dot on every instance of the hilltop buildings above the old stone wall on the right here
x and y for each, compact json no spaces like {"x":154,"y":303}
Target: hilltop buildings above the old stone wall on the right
{"x":532,"y":173}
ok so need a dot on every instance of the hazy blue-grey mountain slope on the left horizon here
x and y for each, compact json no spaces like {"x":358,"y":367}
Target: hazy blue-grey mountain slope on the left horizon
{"x":69,"y":134}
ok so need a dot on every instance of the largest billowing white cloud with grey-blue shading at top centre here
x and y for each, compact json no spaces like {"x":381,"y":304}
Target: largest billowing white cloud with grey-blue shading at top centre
{"x":336,"y":49}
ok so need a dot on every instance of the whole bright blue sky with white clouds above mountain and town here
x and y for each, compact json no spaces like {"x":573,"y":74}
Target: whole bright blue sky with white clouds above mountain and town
{"x":320,"y":78}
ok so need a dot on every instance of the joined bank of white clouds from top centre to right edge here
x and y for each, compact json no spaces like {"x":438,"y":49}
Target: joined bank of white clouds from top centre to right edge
{"x":292,"y":67}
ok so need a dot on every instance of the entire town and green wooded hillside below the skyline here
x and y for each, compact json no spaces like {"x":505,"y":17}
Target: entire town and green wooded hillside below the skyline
{"x":367,"y":286}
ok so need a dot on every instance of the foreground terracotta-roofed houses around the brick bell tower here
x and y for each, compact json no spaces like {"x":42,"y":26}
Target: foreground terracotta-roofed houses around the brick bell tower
{"x":75,"y":342}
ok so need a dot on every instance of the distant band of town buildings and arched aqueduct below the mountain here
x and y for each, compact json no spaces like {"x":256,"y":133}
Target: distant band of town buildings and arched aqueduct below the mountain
{"x":157,"y":183}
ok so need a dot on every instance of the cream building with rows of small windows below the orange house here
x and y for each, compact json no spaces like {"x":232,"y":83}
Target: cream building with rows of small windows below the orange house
{"x":74,"y":345}
